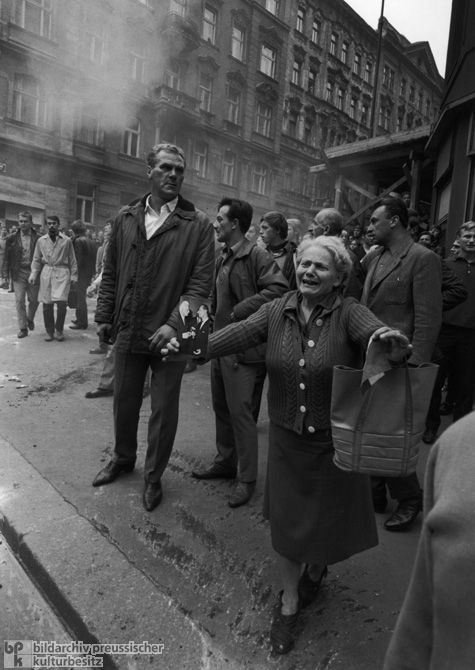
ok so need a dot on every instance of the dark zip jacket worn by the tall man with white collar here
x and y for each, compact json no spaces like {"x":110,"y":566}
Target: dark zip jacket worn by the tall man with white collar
{"x":143,"y":280}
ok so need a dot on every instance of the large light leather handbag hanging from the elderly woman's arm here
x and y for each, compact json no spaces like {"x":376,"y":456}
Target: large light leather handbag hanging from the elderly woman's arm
{"x":378,"y":430}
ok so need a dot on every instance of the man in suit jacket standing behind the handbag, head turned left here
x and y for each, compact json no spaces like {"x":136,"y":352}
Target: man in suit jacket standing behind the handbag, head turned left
{"x":402,"y":288}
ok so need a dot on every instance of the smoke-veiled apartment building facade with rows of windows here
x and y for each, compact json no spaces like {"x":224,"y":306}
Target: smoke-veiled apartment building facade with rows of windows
{"x":250,"y":89}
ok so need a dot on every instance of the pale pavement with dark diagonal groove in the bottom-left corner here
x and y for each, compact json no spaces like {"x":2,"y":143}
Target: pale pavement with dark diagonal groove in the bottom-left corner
{"x":84,"y":587}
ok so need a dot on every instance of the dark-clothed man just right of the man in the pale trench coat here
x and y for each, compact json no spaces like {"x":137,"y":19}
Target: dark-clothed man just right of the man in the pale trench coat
{"x":85,"y":251}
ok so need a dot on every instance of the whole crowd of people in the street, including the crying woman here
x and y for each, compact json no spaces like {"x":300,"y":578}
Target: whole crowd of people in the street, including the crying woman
{"x":281,"y":302}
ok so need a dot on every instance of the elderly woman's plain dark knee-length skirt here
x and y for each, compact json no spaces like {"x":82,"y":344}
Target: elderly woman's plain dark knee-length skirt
{"x":318,"y":513}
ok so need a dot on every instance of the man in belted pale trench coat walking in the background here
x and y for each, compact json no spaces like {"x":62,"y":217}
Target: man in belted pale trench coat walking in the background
{"x":55,"y":264}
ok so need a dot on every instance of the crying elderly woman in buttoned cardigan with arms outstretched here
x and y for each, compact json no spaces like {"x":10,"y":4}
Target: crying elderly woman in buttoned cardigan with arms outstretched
{"x":318,"y":514}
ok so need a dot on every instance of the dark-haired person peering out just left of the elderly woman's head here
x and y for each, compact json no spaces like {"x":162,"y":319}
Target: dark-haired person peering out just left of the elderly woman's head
{"x":273,"y":232}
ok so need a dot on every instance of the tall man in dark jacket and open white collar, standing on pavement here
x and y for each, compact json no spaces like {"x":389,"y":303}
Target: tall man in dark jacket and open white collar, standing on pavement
{"x":161,"y":251}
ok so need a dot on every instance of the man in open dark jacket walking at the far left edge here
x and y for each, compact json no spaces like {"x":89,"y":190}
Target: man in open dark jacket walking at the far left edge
{"x":19,"y":249}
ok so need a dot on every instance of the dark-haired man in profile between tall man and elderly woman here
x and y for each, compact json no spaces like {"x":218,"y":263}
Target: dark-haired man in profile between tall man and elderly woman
{"x":246,"y":277}
